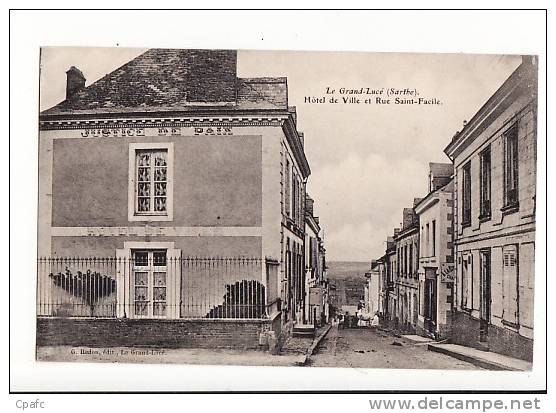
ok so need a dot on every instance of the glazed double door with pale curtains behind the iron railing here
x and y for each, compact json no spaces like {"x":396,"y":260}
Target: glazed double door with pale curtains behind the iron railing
{"x":149,"y":282}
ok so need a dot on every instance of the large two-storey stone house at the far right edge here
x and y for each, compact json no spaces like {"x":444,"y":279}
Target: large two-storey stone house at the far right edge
{"x":494,"y":159}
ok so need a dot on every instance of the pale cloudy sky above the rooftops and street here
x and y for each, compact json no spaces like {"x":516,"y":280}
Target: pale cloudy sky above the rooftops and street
{"x":368,"y":162}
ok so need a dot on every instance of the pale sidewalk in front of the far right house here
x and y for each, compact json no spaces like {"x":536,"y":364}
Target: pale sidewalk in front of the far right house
{"x":484,"y":359}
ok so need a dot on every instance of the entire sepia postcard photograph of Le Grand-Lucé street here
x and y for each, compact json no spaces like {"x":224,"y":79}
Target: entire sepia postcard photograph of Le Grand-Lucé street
{"x":286,"y":208}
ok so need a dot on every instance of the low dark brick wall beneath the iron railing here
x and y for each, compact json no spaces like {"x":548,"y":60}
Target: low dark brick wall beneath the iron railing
{"x":114,"y":332}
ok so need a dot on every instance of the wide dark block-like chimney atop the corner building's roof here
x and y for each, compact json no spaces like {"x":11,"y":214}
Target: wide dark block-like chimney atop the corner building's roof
{"x":211,"y":76}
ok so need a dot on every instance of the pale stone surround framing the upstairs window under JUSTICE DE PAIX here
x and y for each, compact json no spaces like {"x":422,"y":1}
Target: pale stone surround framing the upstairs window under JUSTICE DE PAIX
{"x":133,"y":214}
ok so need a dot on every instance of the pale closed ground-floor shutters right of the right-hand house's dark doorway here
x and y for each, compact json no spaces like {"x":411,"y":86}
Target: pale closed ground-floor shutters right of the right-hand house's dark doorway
{"x":510,"y":284}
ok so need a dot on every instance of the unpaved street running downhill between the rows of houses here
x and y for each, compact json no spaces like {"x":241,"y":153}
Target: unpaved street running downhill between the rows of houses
{"x":366,"y":348}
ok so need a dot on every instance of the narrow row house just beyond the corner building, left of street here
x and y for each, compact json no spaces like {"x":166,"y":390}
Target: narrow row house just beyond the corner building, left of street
{"x":317,"y":290}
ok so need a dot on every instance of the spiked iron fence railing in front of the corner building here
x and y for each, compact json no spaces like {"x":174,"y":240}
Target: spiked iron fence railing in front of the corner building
{"x":152,"y":285}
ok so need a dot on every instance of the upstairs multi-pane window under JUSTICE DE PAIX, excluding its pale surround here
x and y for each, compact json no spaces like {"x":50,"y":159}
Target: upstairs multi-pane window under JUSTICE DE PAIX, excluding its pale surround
{"x":152,"y":181}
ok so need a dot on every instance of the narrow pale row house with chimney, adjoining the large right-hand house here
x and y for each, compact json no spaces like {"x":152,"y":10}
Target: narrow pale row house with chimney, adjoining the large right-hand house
{"x":436,"y":260}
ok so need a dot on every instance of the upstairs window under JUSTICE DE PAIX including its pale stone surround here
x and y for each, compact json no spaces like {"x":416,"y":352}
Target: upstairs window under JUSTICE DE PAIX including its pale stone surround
{"x":150,"y":194}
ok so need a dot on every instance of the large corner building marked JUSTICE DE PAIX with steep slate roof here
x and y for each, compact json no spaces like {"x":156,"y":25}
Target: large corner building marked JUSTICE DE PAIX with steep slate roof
{"x":181,"y":187}
